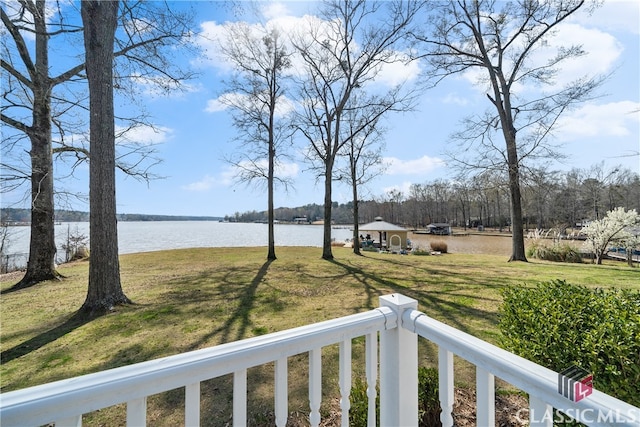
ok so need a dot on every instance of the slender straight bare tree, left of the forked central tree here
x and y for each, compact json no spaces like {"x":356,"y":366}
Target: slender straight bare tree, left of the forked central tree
{"x":256,"y":93}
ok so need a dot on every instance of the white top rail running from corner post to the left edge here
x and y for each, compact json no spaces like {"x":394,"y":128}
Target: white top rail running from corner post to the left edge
{"x":74,"y":396}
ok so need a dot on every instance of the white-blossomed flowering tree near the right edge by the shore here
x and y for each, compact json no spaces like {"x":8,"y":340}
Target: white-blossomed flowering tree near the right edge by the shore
{"x":614,"y":227}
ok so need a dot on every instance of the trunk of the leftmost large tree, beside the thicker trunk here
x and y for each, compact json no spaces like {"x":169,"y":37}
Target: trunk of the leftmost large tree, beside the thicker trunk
{"x":42,"y":246}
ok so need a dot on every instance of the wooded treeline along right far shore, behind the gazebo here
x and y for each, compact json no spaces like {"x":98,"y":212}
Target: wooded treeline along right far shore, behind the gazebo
{"x":550,"y":199}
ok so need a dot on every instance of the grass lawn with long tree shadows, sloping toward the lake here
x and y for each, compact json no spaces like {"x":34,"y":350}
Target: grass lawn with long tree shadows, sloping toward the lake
{"x":195,"y":298}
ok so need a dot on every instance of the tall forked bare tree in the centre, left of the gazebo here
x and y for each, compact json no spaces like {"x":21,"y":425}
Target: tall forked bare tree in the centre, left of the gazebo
{"x":341,"y":54}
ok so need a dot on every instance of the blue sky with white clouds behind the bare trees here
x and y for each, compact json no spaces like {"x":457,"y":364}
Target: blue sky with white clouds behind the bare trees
{"x":193,"y":135}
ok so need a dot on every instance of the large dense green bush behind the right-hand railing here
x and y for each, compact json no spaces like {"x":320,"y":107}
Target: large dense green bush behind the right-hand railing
{"x":557,"y":325}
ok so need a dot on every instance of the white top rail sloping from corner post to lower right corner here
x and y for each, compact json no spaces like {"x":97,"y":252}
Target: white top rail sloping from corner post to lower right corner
{"x":528,"y":376}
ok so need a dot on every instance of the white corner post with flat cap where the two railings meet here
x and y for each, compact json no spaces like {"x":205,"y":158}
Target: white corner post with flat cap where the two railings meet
{"x":398,"y":367}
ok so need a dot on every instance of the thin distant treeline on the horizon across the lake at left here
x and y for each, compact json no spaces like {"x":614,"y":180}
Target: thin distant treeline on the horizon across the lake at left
{"x":13,"y":215}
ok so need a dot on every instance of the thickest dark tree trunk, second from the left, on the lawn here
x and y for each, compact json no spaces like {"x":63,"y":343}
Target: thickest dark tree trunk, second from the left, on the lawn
{"x":105,"y":291}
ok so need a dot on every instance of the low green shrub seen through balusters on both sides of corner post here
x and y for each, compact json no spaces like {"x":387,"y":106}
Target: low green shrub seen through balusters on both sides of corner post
{"x":428,"y":401}
